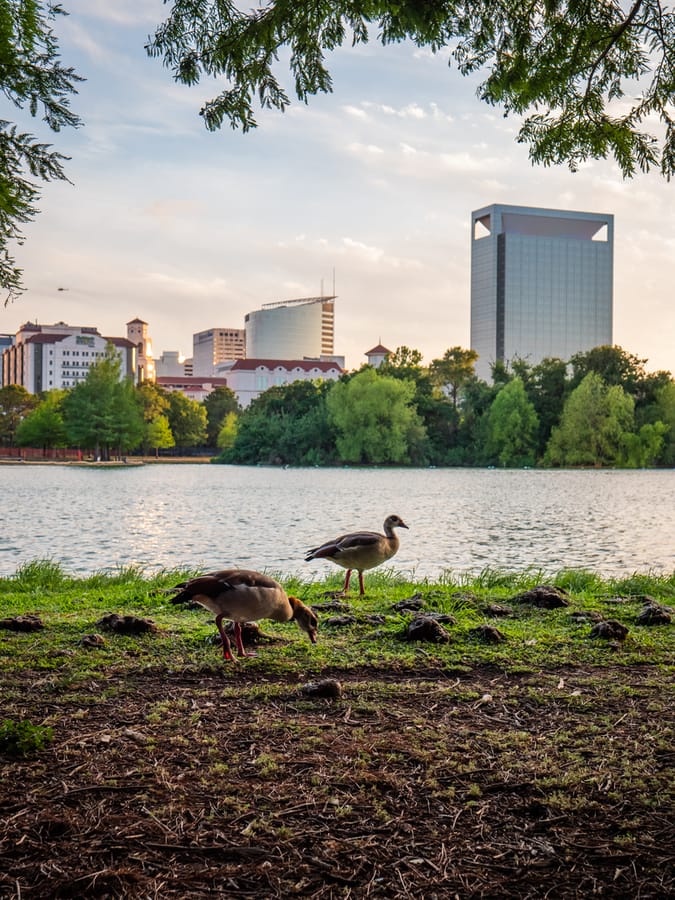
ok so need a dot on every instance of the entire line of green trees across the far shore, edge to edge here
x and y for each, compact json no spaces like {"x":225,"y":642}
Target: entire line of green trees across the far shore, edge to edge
{"x":600,"y":408}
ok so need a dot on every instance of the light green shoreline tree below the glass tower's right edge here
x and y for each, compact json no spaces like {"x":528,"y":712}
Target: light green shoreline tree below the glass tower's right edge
{"x":593,"y":421}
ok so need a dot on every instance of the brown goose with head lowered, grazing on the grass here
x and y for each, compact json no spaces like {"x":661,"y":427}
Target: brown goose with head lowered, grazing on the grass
{"x":244,"y":596}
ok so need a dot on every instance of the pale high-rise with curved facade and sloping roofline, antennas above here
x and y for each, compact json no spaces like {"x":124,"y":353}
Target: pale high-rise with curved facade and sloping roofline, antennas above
{"x":292,"y":329}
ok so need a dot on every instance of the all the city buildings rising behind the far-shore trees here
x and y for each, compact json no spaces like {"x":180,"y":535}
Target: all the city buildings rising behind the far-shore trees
{"x":541,"y":287}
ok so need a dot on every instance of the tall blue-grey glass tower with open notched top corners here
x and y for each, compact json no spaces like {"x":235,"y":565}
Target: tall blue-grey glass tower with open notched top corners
{"x":541,"y":283}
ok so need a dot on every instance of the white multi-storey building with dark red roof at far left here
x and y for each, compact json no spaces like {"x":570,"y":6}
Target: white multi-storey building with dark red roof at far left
{"x":44,"y":357}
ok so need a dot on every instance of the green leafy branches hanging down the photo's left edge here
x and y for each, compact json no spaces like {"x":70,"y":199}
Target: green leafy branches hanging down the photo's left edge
{"x":32,"y":76}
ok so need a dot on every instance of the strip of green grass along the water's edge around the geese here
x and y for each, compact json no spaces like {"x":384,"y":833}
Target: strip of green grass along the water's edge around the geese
{"x":535,"y":638}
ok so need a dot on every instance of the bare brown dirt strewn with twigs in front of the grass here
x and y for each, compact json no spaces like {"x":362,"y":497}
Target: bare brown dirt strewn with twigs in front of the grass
{"x":423,"y":785}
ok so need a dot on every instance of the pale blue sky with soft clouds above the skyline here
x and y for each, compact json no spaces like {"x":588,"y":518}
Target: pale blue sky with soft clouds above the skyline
{"x":367,"y":192}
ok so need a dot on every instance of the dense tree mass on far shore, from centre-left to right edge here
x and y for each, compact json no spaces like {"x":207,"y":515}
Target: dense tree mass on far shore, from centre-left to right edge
{"x":601,"y":408}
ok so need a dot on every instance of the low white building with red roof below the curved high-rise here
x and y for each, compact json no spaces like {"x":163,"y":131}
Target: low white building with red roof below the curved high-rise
{"x":249,"y":378}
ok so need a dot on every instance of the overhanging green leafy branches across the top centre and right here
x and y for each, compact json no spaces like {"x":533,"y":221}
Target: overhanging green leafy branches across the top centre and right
{"x":585,"y":76}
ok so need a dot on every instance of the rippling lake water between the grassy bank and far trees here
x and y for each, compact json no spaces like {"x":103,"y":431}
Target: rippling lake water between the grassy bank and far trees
{"x":202,"y":516}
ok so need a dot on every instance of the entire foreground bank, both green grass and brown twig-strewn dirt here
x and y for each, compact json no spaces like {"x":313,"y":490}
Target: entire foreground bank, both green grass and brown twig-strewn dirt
{"x":537,"y":766}
